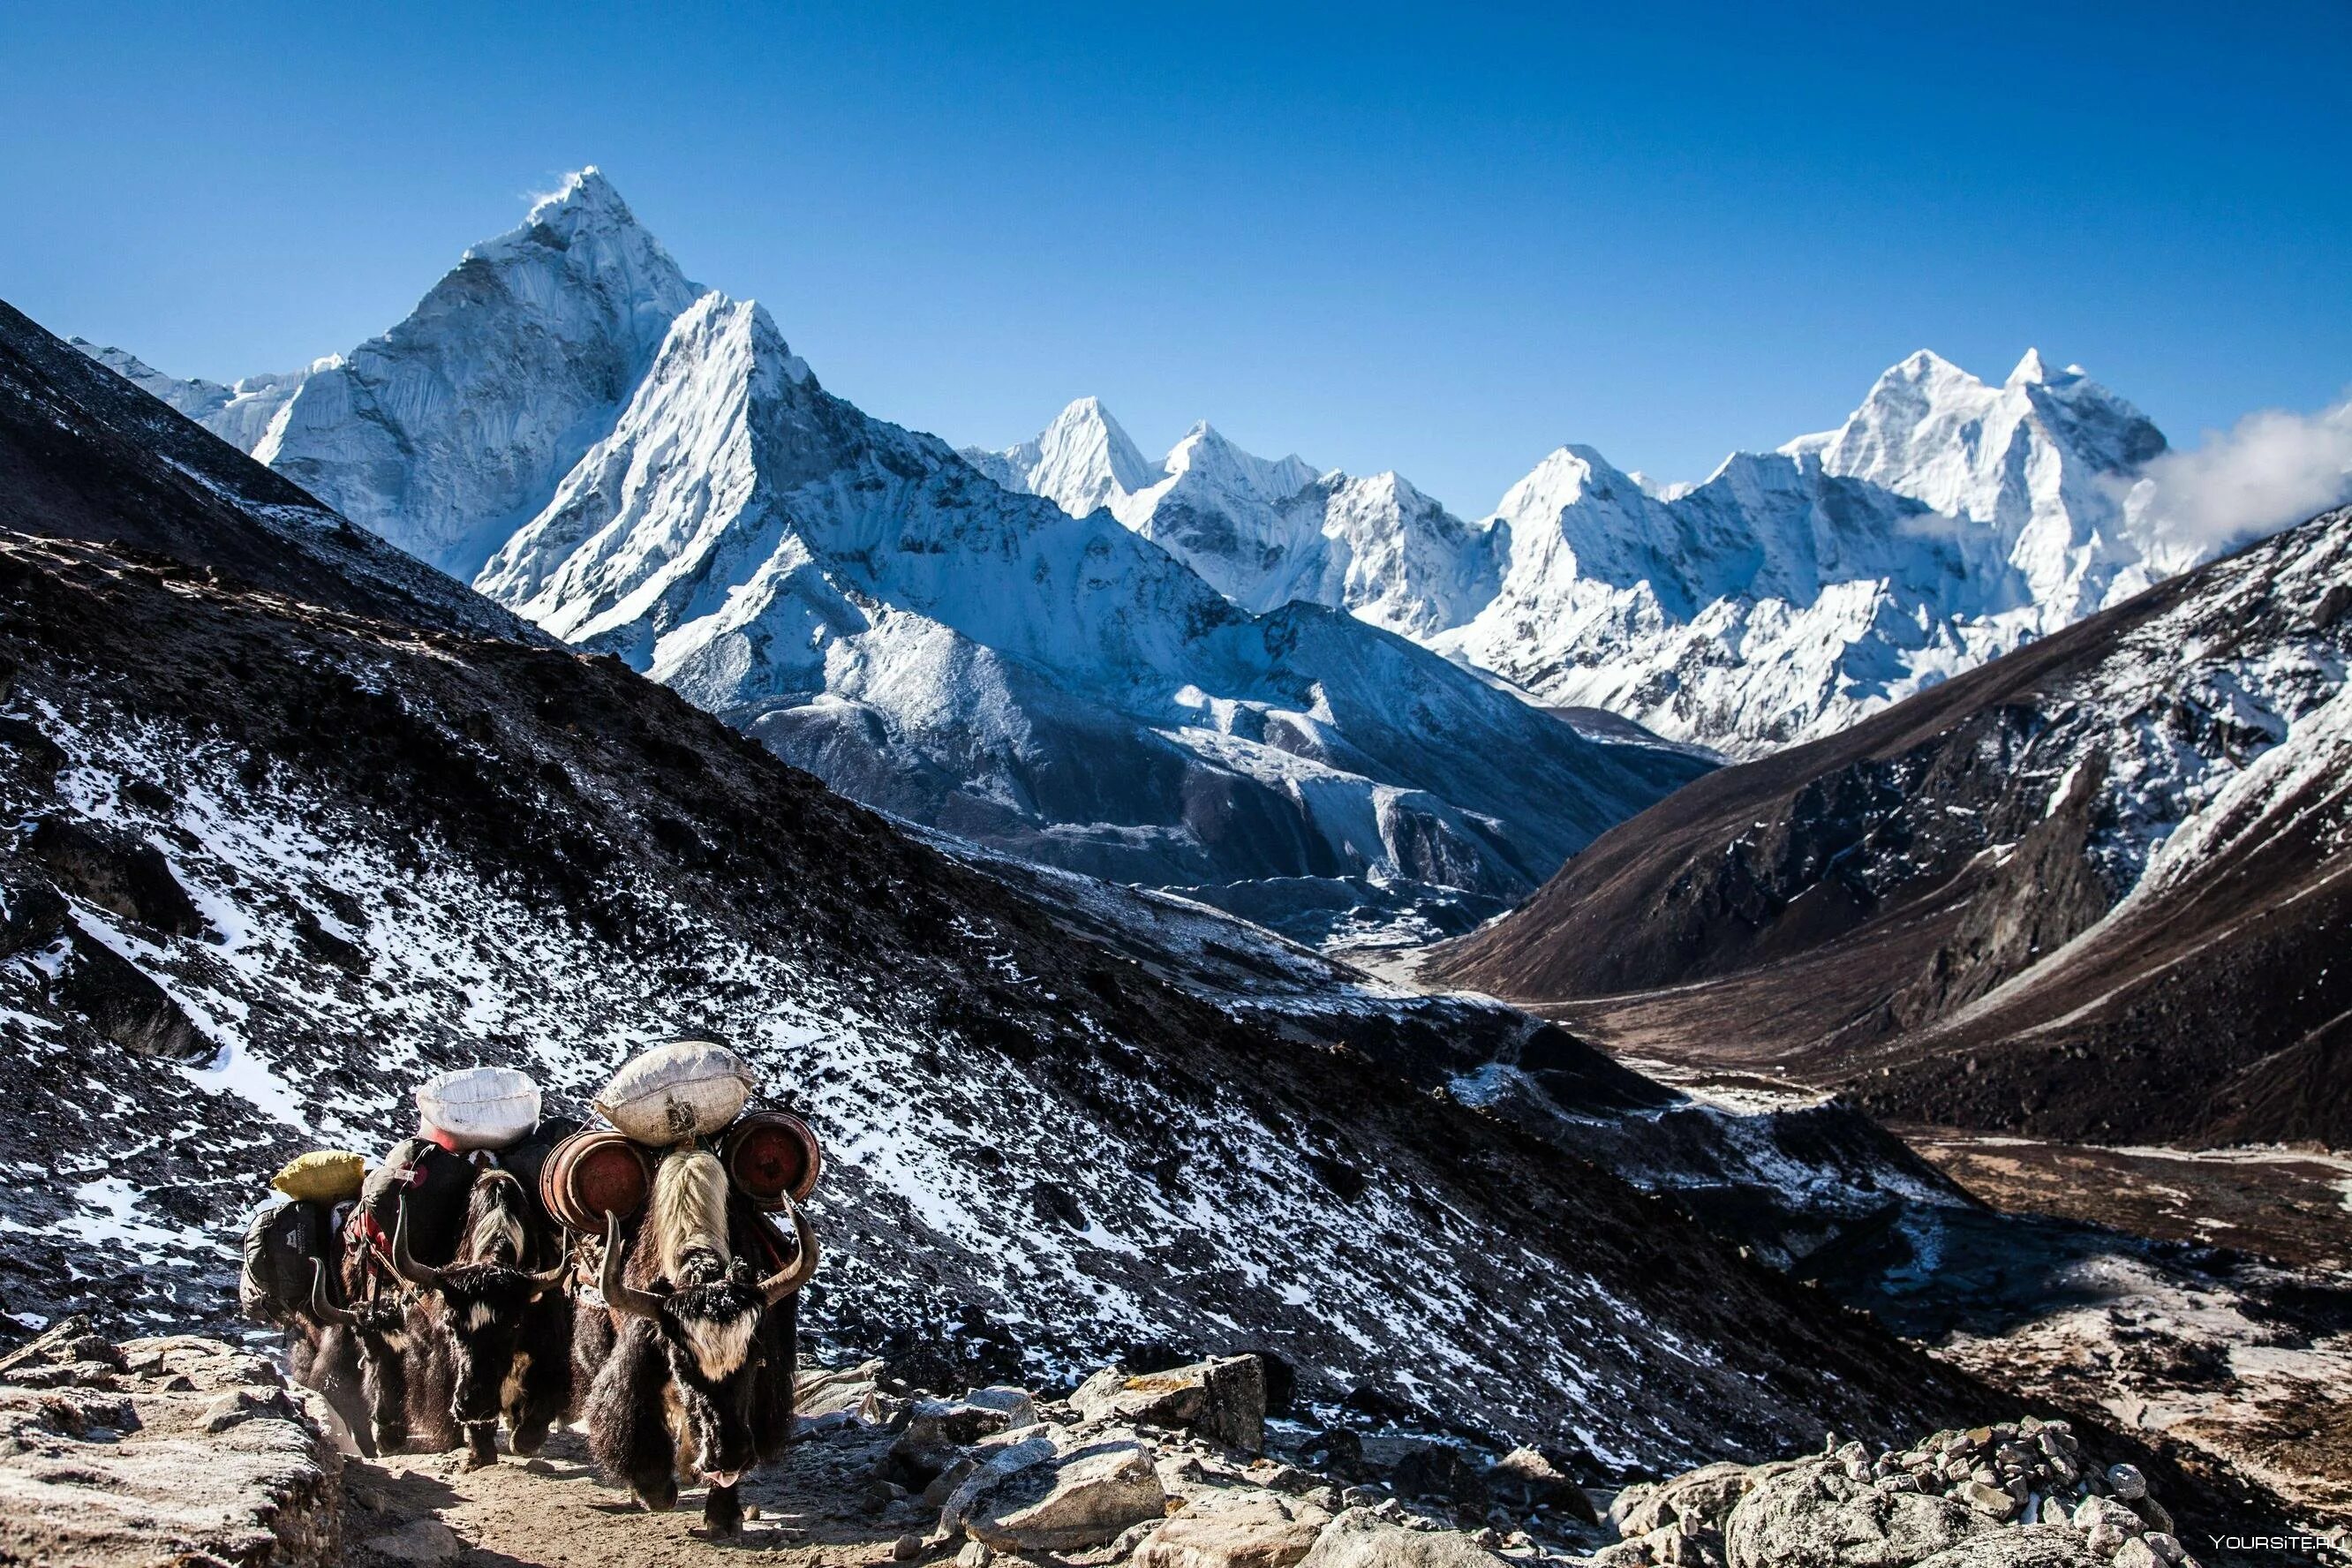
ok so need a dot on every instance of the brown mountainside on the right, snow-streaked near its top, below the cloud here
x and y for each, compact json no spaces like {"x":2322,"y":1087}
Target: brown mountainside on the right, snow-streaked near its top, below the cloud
{"x":2050,"y":894}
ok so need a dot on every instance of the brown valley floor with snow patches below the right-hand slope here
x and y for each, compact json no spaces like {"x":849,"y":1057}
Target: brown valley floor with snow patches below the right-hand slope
{"x":2200,"y":1299}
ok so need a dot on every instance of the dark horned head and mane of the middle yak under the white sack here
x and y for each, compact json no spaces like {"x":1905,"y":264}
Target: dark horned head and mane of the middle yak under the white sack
{"x":479,"y":1301}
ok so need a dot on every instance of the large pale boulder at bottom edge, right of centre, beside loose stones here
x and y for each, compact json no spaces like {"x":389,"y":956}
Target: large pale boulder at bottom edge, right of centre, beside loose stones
{"x":1812,"y":1515}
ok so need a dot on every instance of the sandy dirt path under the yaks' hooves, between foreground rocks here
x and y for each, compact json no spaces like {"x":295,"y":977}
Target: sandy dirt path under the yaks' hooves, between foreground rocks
{"x":544,"y":1513}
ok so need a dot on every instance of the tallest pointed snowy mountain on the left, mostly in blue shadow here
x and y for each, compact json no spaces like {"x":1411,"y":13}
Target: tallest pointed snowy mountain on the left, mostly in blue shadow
{"x":646,"y":469}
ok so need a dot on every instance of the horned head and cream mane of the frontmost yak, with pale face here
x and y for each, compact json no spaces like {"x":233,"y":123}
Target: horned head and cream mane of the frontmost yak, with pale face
{"x":711,"y":1313}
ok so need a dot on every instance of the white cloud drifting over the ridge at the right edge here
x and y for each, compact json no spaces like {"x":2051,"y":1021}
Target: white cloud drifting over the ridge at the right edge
{"x":2271,"y":471}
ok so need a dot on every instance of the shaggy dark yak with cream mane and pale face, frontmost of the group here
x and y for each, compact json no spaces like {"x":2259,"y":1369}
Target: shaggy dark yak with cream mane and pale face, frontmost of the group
{"x":700,"y":1374}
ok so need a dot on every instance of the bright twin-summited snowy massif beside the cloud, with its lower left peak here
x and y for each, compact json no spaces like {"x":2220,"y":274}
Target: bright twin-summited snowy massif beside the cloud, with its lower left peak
{"x":1791,"y":594}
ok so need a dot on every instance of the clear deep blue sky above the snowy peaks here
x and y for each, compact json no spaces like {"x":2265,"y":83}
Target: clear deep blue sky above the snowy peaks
{"x":1422,"y":239}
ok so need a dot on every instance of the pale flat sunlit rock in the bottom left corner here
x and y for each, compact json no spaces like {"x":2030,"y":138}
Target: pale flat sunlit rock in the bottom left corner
{"x":156,"y":1452}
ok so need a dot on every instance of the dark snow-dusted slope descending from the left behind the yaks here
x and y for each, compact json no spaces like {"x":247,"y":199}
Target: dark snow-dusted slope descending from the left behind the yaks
{"x":300,"y":838}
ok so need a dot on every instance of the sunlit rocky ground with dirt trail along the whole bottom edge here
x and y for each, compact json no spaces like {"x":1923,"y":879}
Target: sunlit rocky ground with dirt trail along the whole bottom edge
{"x":196,"y":1454}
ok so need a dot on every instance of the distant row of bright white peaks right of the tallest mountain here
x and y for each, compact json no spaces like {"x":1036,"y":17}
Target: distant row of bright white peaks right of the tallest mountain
{"x":1784,"y":598}
